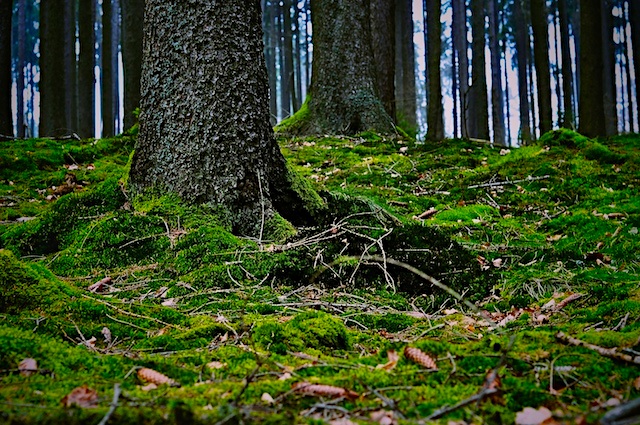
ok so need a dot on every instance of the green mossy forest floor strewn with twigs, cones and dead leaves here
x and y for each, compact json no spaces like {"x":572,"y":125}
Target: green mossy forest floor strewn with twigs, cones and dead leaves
{"x":452,"y":283}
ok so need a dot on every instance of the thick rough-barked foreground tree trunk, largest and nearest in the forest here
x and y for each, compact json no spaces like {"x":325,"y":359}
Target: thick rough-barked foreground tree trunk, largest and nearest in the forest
{"x":204,"y":129}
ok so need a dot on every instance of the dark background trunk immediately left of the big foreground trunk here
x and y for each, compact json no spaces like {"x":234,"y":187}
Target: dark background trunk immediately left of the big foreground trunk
{"x":132,"y":34}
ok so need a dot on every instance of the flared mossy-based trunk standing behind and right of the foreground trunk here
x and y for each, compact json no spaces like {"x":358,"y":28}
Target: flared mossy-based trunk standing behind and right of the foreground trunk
{"x":342,"y":97}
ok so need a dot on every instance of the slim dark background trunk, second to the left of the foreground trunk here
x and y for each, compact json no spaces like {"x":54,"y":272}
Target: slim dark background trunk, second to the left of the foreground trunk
{"x":108,"y":121}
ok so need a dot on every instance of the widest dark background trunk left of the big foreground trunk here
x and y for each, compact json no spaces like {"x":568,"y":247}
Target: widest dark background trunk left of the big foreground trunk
{"x":52,"y":93}
